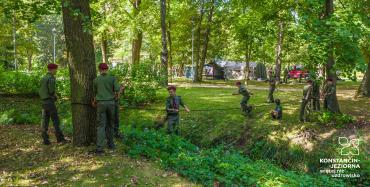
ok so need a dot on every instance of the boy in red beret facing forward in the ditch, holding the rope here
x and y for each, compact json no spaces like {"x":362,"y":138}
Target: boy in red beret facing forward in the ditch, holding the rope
{"x":173,"y":103}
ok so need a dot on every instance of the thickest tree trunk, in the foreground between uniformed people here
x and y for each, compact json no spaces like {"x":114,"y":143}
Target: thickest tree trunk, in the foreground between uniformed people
{"x":82,"y":69}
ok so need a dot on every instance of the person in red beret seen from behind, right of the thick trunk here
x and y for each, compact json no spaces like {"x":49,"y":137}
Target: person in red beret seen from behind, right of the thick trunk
{"x":105,"y":92}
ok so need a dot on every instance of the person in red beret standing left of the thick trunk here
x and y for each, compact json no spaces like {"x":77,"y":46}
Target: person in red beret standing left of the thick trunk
{"x":47,"y":94}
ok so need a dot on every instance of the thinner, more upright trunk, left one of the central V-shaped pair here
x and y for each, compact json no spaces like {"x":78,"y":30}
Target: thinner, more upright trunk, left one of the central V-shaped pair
{"x":198,"y":45}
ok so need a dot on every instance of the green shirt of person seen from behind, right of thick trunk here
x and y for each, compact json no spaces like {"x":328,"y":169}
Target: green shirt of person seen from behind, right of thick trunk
{"x":104,"y":87}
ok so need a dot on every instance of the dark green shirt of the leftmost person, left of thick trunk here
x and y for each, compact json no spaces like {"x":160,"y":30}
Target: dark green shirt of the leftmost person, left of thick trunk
{"x":47,"y":87}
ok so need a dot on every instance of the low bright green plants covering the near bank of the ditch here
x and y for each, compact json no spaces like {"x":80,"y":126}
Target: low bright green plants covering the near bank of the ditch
{"x":207,"y":166}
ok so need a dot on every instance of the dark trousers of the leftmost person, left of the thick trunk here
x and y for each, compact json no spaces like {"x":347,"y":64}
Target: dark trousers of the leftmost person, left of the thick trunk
{"x":49,"y":110}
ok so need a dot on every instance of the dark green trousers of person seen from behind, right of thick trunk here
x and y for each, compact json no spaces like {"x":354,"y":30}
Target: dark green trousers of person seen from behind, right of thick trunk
{"x":105,"y":117}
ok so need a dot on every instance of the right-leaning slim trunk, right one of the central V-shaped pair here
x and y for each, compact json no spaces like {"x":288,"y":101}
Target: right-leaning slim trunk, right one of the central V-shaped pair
{"x":205,"y":42}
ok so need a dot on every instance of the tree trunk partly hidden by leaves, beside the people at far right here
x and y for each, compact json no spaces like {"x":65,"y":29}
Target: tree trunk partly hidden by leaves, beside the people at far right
{"x":330,"y":71}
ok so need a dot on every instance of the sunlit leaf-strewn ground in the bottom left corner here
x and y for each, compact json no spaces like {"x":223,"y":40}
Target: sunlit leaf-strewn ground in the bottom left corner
{"x":24,"y":161}
